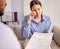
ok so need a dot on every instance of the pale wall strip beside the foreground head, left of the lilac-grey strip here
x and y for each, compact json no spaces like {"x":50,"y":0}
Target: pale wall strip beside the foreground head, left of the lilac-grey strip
{"x":7,"y":15}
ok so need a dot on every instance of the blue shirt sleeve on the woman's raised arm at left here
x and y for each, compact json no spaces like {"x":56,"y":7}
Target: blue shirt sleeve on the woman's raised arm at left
{"x":25,"y":28}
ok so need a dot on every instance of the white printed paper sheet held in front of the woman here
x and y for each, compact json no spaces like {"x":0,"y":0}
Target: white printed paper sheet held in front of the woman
{"x":40,"y":41}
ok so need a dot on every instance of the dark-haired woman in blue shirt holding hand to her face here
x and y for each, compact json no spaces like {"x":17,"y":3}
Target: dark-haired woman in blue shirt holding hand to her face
{"x":36,"y":21}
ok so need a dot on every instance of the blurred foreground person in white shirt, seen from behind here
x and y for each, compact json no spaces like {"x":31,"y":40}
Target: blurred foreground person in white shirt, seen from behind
{"x":8,"y":39}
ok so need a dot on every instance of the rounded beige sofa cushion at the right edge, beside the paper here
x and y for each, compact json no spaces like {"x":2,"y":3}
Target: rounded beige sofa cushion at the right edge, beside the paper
{"x":56,"y":31}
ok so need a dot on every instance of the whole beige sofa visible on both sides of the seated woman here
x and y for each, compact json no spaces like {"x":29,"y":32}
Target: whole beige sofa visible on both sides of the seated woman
{"x":55,"y":41}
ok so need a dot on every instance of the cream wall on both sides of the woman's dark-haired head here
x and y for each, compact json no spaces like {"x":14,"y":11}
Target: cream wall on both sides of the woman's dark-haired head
{"x":50,"y":8}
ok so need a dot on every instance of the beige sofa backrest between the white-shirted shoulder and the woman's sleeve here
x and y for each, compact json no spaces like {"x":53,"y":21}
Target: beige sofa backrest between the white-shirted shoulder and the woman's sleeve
{"x":17,"y":31}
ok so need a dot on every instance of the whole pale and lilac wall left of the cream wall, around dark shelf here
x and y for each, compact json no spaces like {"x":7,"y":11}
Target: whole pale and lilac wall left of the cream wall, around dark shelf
{"x":14,"y":6}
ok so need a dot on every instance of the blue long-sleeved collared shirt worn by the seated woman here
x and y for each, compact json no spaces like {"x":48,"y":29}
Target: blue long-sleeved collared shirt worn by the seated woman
{"x":41,"y":27}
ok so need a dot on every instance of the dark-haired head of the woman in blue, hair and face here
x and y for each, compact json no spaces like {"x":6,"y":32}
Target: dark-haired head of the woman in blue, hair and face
{"x":36,"y":6}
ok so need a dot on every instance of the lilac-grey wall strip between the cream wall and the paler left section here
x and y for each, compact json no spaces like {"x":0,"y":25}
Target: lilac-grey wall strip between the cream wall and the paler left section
{"x":17,"y":6}
